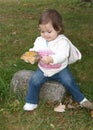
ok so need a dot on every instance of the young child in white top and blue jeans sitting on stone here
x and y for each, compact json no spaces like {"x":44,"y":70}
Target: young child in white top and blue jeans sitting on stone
{"x":53,"y":64}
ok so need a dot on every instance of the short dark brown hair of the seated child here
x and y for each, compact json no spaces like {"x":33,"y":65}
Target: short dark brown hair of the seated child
{"x":51,"y":15}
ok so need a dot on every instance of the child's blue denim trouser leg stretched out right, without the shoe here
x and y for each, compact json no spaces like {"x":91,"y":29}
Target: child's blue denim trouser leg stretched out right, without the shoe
{"x":66,"y":79}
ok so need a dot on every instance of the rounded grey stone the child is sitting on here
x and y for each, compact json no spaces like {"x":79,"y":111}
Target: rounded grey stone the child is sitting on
{"x":51,"y":91}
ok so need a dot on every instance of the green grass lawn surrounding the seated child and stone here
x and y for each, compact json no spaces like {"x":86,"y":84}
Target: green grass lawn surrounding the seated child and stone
{"x":18,"y":30}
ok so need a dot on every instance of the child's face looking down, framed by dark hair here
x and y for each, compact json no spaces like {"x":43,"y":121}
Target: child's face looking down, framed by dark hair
{"x":47,"y":31}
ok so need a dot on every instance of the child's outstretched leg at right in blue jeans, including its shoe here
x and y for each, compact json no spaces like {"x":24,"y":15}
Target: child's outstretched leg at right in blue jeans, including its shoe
{"x":67,"y":80}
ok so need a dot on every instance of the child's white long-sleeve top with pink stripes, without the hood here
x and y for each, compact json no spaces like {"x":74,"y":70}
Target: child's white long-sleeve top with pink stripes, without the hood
{"x":58,"y":49}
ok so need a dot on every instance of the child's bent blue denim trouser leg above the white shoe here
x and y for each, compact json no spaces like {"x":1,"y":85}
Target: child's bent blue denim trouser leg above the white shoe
{"x":35,"y":84}
